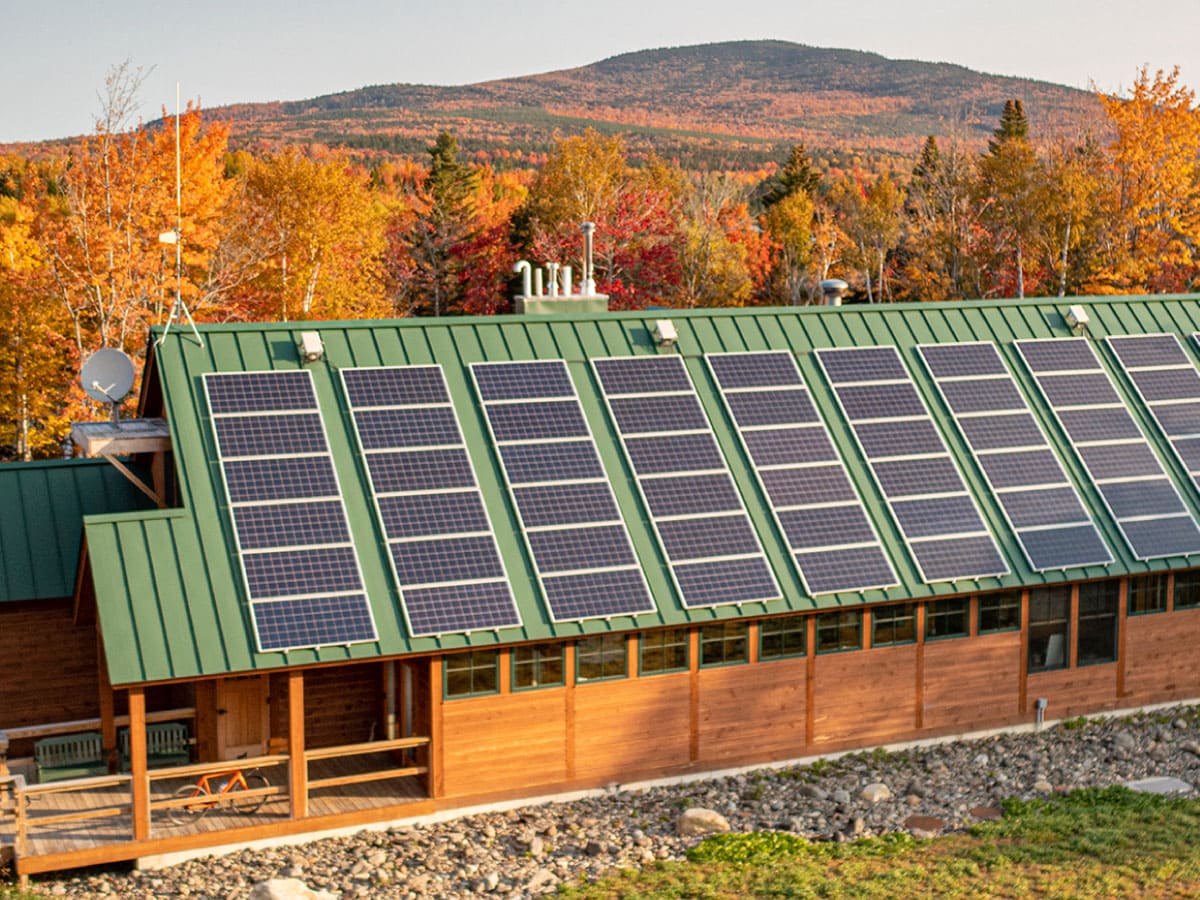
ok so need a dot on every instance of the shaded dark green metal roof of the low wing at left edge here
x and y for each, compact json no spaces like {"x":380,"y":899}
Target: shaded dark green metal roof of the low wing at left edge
{"x":43,"y":505}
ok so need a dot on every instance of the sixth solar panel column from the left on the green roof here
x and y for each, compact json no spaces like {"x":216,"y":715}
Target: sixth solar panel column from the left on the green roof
{"x":911,"y":465}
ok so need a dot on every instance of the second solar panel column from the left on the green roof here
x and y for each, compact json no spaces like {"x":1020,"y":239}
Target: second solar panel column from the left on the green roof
{"x":441,"y":543}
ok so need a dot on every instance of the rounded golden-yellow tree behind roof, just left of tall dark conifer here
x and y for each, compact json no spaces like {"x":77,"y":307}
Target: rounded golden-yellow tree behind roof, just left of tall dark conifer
{"x":320,"y":236}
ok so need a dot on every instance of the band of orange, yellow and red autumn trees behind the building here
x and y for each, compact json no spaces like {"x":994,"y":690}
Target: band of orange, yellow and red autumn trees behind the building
{"x":302,"y":232}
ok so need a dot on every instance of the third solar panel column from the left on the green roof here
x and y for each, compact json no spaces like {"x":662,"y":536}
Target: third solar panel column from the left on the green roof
{"x":578,"y":539}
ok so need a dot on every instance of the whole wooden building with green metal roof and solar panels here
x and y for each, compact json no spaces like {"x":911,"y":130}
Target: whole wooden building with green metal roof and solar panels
{"x":419,"y":566}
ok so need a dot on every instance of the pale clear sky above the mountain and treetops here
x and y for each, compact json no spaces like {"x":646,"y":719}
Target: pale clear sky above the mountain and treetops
{"x":57,"y":53}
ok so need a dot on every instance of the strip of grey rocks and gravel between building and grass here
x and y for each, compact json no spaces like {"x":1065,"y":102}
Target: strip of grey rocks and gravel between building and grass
{"x":531,"y":851}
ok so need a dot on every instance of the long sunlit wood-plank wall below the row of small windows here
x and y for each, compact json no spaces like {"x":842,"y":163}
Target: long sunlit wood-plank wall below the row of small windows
{"x":649,"y":727}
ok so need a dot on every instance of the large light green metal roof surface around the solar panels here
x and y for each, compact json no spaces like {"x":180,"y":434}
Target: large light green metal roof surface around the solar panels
{"x":170,"y":593}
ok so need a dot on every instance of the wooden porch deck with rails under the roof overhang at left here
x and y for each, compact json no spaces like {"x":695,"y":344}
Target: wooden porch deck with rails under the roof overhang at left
{"x":109,"y":838}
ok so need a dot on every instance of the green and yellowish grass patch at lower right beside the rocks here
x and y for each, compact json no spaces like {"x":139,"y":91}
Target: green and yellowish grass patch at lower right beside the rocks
{"x":1091,"y":843}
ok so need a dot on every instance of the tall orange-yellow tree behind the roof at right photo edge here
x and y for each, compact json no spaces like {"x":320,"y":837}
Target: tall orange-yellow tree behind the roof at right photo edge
{"x":1155,"y":208}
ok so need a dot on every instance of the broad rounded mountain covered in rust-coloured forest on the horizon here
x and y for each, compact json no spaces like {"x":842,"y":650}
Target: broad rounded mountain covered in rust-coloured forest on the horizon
{"x":725,"y":105}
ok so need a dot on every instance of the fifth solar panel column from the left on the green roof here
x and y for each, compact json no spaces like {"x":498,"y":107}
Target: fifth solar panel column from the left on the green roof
{"x":833,"y":543}
